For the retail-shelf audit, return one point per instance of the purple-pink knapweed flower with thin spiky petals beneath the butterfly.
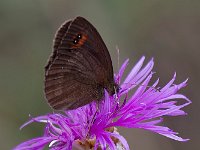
(94, 127)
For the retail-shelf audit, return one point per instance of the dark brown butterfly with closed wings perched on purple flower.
(80, 67)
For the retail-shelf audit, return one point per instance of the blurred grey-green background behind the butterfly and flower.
(169, 31)
